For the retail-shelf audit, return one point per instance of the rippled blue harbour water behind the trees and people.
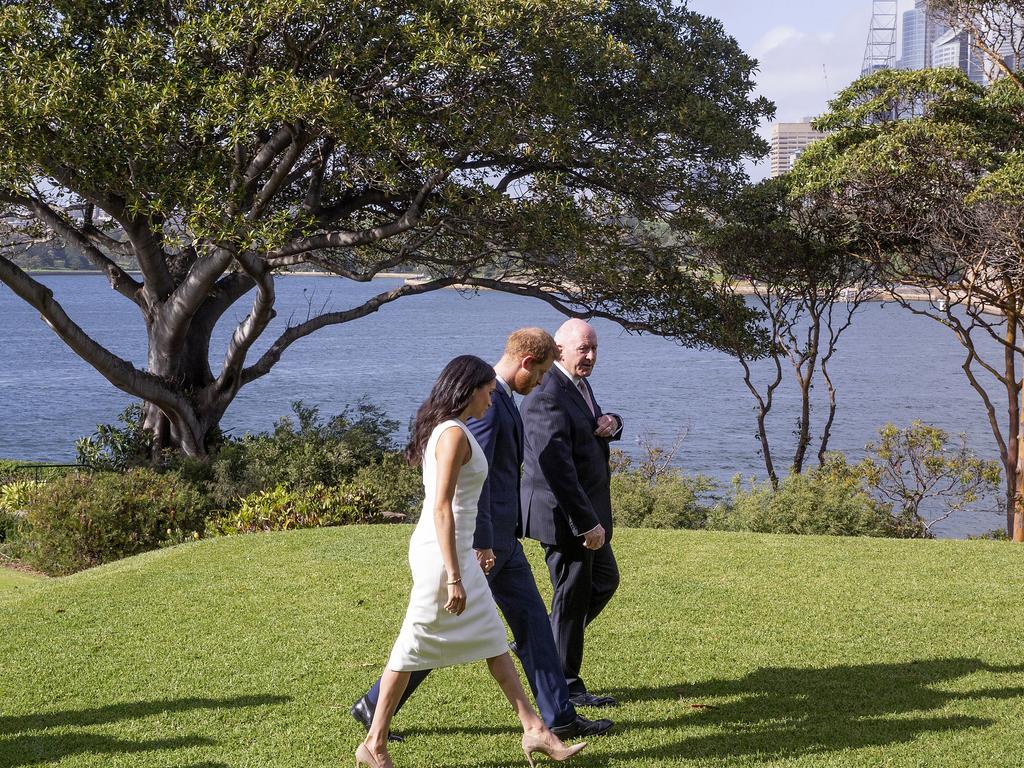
(892, 366)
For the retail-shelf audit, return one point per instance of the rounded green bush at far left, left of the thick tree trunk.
(81, 521)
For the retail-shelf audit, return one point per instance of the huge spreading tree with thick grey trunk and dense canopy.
(515, 145)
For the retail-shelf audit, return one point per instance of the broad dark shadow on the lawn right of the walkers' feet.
(777, 713)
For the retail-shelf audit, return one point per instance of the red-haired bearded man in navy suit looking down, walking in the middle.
(529, 355)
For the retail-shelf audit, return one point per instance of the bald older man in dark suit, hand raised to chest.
(567, 497)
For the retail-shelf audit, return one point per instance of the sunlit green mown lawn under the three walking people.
(726, 651)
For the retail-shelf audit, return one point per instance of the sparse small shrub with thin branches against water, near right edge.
(915, 467)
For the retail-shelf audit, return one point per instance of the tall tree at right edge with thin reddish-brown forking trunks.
(937, 201)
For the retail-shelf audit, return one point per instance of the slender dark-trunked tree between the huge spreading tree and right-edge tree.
(806, 282)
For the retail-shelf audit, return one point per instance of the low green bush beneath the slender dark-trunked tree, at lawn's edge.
(830, 501)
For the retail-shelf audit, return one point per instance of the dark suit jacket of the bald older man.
(566, 481)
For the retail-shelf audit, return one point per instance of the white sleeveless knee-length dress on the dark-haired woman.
(432, 637)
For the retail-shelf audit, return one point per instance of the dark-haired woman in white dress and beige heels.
(452, 618)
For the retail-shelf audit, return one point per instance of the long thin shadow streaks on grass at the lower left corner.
(20, 745)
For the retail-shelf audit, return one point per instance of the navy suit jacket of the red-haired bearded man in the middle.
(500, 435)
